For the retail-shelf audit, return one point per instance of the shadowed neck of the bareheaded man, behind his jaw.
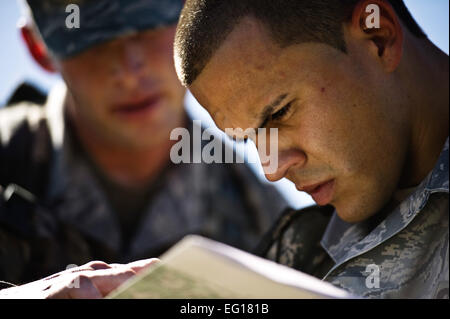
(428, 97)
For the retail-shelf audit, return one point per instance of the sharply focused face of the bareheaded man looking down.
(341, 138)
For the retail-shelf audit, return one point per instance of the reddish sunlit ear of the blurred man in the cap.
(36, 48)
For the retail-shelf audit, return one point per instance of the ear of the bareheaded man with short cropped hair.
(377, 22)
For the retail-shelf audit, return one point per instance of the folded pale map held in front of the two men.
(200, 268)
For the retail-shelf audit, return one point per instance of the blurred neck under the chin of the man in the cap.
(132, 167)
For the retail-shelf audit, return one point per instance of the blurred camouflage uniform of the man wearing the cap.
(73, 222)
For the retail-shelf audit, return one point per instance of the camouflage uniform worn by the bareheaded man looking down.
(401, 252)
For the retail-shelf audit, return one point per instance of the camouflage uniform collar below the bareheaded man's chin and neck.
(344, 241)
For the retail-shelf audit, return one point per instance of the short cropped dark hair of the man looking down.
(205, 24)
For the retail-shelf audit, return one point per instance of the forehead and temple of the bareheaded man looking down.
(250, 72)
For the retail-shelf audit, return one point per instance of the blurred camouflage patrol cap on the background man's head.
(99, 21)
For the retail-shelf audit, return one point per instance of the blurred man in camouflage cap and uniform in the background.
(88, 176)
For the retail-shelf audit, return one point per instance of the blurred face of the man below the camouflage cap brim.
(127, 90)
